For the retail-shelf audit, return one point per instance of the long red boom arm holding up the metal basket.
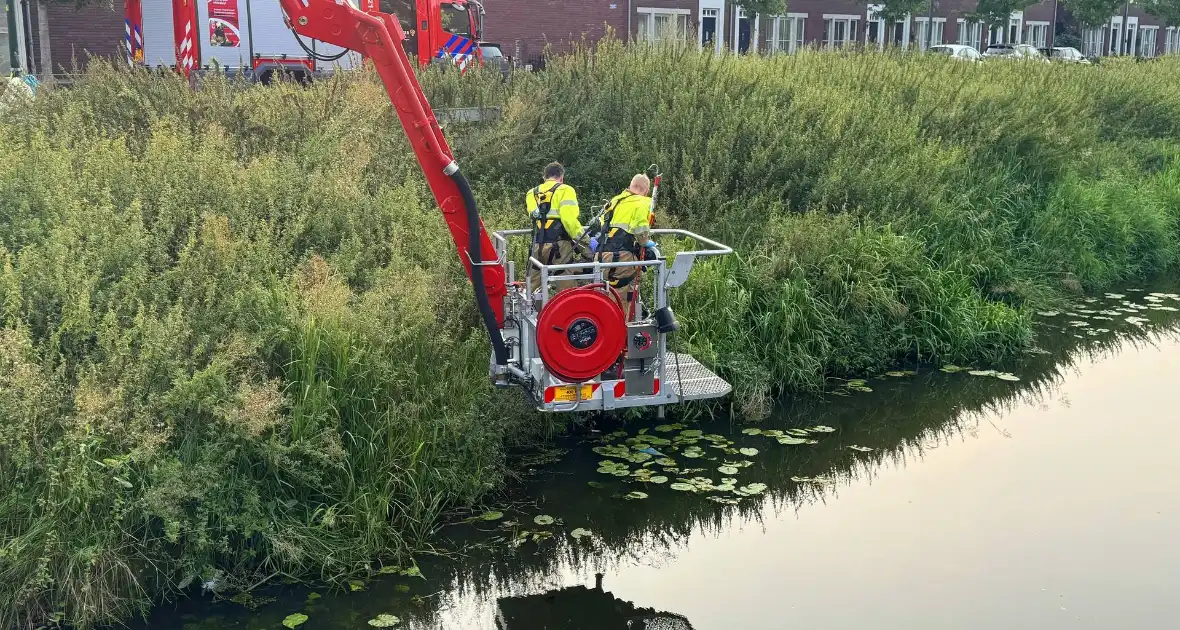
(379, 38)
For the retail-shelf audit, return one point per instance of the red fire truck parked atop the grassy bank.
(253, 37)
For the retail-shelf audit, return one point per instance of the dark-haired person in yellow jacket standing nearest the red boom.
(554, 211)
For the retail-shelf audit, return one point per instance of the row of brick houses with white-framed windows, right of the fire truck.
(523, 28)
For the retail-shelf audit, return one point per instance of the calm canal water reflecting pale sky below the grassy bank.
(1051, 503)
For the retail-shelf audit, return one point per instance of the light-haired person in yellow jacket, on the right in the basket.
(627, 226)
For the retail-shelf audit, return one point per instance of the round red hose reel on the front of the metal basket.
(582, 332)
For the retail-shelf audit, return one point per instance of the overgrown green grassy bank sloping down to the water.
(237, 344)
